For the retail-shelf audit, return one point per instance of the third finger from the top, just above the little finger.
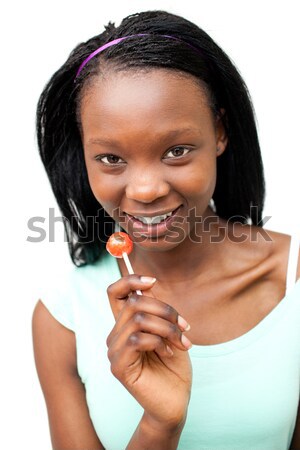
(149, 323)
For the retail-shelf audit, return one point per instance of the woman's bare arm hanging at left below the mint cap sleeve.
(55, 355)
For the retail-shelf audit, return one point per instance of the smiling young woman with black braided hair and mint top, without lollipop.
(149, 127)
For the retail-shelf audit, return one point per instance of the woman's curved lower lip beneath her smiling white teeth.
(157, 229)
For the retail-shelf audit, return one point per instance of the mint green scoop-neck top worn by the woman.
(245, 392)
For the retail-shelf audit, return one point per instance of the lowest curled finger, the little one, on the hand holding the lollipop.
(126, 359)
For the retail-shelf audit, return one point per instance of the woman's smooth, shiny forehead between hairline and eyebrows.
(158, 96)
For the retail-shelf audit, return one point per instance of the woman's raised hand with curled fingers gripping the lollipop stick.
(139, 355)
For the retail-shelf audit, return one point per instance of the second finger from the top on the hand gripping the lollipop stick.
(143, 304)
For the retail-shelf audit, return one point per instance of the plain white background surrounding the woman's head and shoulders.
(262, 38)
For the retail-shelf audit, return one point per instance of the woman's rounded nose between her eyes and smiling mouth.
(146, 187)
